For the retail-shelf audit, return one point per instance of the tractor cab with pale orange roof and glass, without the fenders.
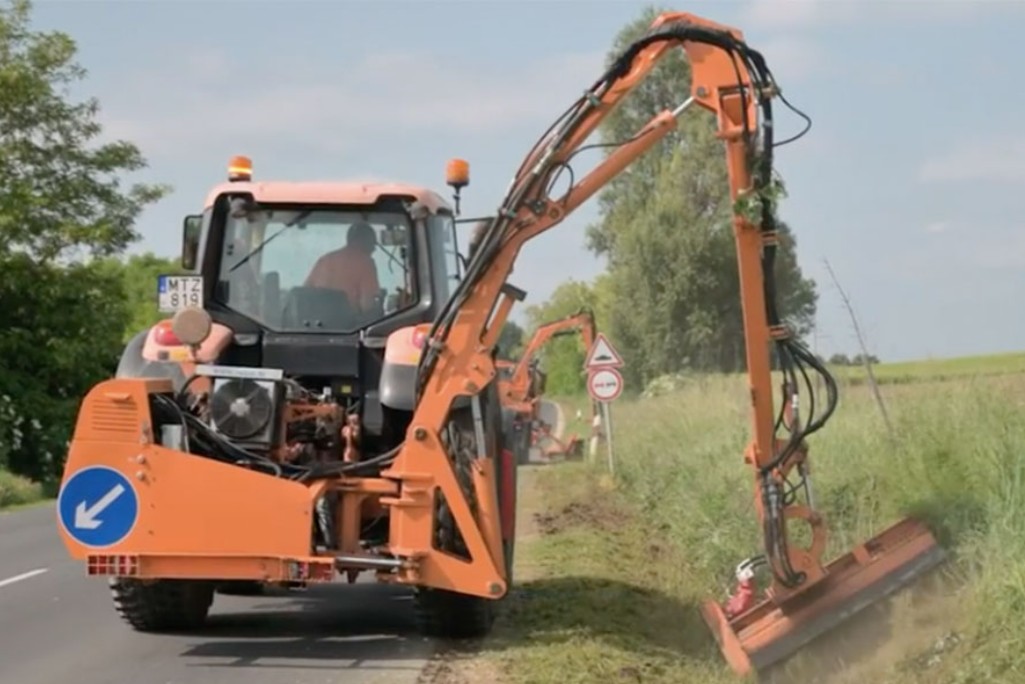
(340, 259)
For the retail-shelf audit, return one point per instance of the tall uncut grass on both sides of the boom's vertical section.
(957, 462)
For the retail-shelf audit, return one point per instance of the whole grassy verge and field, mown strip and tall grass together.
(614, 575)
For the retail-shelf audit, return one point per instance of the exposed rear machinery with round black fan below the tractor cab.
(265, 421)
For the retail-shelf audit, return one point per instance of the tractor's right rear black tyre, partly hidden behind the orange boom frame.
(445, 615)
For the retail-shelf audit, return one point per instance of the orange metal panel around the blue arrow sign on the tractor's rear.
(197, 518)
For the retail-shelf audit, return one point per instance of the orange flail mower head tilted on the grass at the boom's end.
(768, 633)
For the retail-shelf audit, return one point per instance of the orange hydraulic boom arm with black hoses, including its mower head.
(732, 82)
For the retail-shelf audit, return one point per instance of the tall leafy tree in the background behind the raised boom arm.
(666, 229)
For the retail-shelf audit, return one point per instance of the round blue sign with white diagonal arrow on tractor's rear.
(98, 507)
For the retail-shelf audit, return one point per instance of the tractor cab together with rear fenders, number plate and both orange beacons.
(331, 286)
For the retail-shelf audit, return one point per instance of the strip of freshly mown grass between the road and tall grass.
(594, 597)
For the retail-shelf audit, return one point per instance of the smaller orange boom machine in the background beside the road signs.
(522, 386)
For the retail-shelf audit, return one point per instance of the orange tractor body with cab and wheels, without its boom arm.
(244, 440)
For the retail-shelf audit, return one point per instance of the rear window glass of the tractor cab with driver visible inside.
(316, 270)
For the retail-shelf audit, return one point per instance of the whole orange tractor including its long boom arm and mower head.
(293, 434)
